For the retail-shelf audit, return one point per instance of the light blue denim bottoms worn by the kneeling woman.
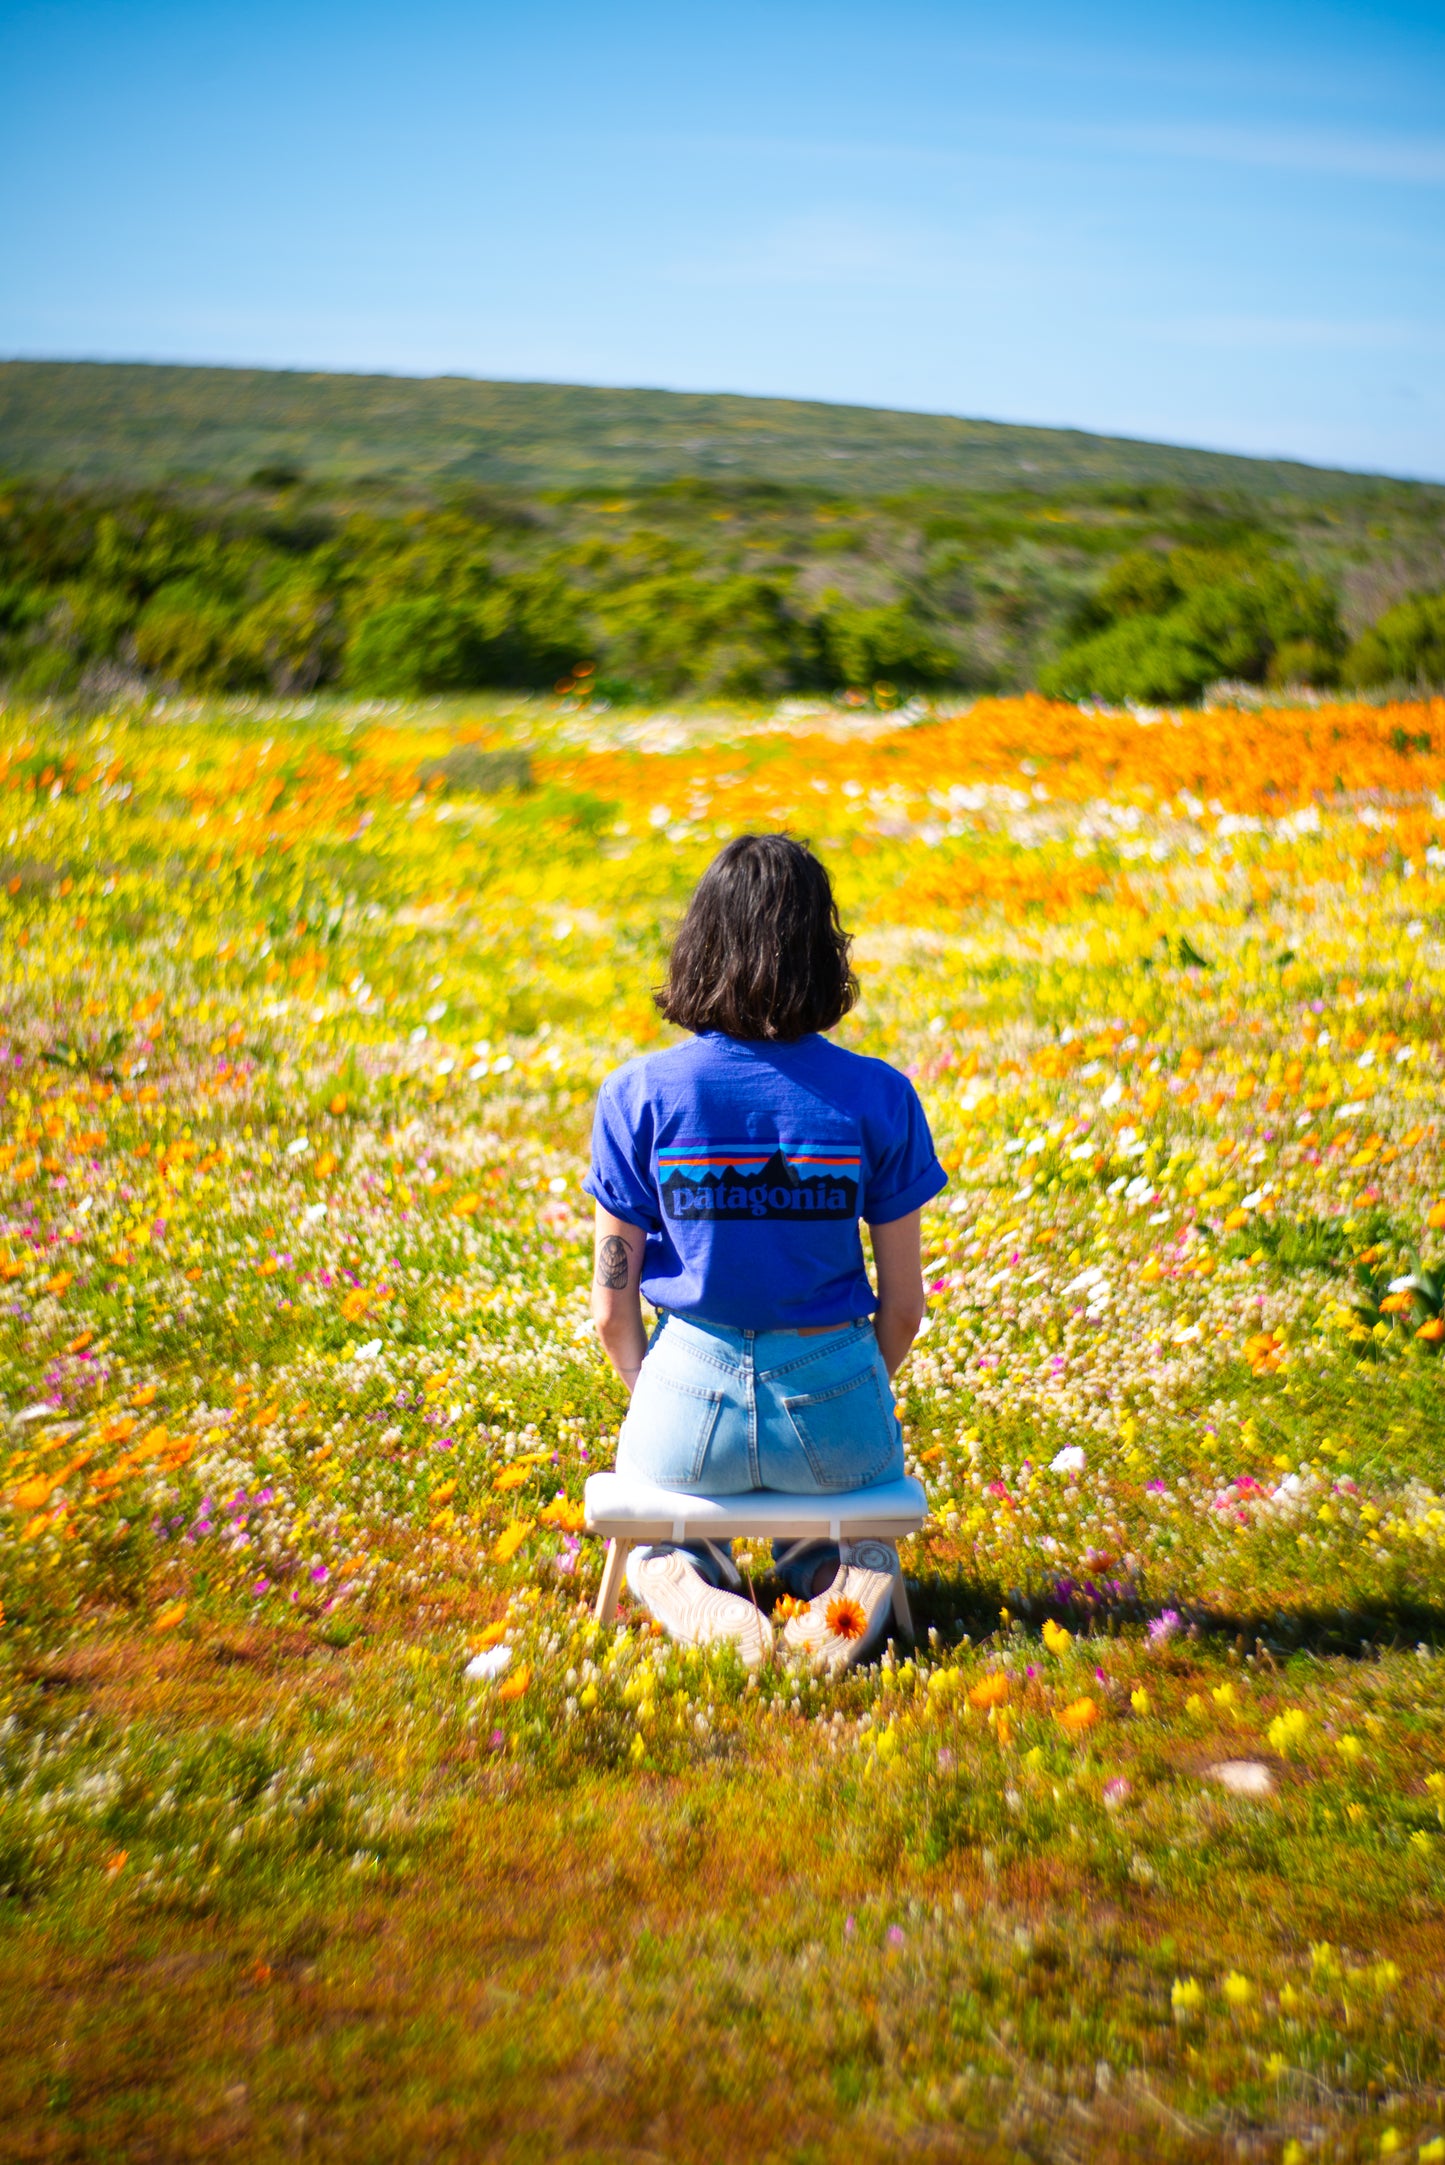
(722, 1413)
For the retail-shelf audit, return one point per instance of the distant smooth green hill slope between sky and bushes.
(131, 423)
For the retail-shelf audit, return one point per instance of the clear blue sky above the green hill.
(1201, 224)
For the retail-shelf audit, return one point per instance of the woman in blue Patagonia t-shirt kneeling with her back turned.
(731, 1175)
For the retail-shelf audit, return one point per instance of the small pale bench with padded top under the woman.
(634, 1512)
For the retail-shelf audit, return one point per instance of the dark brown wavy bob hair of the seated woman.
(761, 952)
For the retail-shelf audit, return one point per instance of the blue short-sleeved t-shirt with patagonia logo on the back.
(748, 1168)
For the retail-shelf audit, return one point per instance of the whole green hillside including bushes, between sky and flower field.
(229, 529)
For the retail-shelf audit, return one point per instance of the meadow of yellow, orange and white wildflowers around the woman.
(1138, 1854)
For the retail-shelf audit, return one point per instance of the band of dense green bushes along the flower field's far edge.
(679, 592)
